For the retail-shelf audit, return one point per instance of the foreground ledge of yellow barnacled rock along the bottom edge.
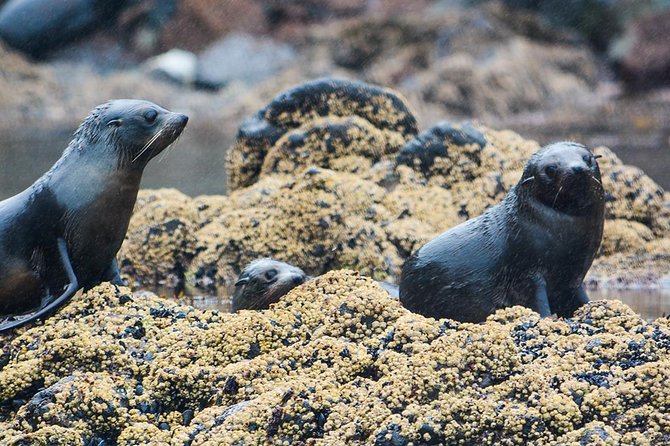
(336, 361)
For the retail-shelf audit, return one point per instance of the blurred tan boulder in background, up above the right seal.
(518, 75)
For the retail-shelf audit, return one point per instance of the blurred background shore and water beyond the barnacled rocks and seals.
(591, 70)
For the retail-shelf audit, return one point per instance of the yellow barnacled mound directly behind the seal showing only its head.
(317, 220)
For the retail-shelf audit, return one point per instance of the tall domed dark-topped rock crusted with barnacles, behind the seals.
(305, 119)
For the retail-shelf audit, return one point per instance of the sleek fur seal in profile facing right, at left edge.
(63, 232)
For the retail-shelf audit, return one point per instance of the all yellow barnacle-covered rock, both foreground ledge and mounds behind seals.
(336, 181)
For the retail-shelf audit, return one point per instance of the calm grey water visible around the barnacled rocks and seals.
(195, 164)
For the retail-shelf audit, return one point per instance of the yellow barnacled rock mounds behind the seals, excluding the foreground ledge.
(335, 174)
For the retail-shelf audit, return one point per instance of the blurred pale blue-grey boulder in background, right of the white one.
(242, 58)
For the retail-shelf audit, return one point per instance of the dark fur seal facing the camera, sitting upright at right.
(532, 249)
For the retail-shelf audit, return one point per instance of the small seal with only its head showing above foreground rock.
(263, 282)
